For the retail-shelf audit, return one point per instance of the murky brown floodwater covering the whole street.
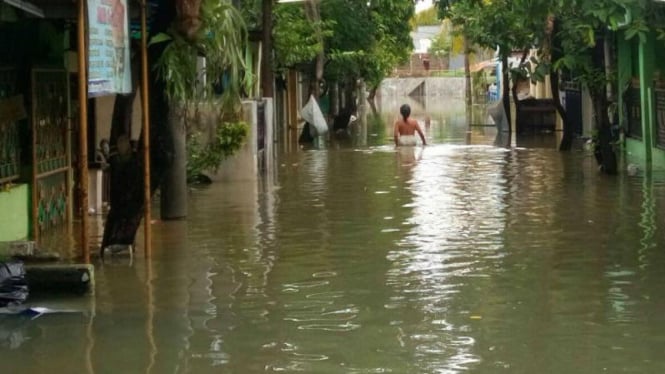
(457, 257)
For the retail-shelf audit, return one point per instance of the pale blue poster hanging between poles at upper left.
(108, 48)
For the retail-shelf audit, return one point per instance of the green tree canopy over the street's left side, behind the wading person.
(360, 39)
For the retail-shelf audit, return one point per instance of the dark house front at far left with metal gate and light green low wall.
(36, 177)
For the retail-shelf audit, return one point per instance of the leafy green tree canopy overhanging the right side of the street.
(520, 24)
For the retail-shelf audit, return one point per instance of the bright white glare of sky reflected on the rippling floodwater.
(455, 222)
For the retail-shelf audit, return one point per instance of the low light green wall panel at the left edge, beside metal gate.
(14, 213)
